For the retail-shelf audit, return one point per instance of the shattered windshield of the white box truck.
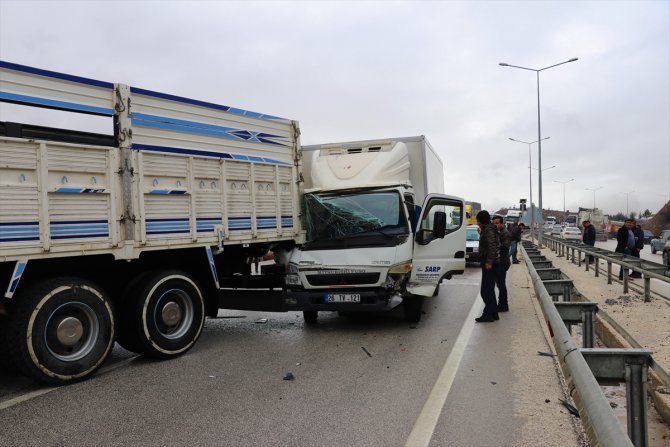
(354, 214)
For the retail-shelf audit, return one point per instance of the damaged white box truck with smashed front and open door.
(379, 230)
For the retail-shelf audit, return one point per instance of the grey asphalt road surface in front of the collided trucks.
(358, 381)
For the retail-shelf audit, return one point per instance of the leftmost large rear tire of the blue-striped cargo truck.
(60, 330)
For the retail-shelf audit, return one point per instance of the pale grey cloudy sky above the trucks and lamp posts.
(377, 69)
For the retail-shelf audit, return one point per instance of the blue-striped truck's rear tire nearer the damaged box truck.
(166, 315)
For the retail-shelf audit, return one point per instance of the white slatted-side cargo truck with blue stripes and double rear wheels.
(125, 236)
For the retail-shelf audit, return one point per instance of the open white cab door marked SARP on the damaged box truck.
(439, 243)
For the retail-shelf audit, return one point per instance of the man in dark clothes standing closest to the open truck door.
(489, 258)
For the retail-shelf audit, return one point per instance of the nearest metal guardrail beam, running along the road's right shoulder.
(602, 427)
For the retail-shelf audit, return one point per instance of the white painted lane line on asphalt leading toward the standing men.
(424, 427)
